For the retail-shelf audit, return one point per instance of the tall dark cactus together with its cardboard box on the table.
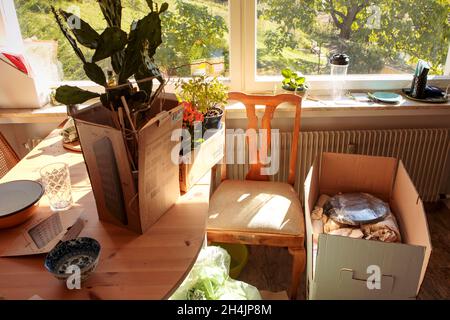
(125, 138)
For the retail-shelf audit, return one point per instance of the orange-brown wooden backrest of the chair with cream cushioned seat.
(271, 103)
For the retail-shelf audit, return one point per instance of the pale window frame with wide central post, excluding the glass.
(242, 44)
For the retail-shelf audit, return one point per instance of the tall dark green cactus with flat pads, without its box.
(130, 54)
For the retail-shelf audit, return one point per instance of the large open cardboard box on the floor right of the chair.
(339, 268)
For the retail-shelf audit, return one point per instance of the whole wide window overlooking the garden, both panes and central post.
(250, 41)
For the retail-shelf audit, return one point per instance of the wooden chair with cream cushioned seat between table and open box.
(257, 211)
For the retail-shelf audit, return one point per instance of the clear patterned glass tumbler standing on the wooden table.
(55, 178)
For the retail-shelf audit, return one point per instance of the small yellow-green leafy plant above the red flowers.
(202, 93)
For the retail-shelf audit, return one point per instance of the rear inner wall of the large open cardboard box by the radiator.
(357, 173)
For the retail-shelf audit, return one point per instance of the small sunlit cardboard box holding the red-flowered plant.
(198, 162)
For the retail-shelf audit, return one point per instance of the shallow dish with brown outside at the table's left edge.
(18, 201)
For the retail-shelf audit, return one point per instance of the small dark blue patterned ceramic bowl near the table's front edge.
(83, 252)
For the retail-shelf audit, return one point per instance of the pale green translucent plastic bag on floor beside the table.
(209, 280)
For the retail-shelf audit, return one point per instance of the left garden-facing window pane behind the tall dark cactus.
(194, 32)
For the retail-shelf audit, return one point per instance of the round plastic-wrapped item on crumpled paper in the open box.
(356, 208)
